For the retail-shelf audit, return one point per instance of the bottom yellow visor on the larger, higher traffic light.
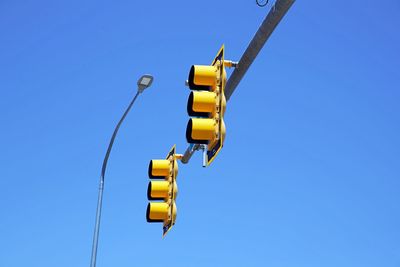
(200, 131)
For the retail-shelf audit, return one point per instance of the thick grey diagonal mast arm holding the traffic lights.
(270, 22)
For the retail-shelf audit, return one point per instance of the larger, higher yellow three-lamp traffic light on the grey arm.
(207, 104)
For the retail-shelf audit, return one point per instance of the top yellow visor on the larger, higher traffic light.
(202, 77)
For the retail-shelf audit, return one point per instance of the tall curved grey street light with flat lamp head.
(144, 82)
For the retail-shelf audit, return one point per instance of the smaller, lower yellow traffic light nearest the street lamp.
(164, 190)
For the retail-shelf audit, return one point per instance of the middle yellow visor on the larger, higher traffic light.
(201, 103)
